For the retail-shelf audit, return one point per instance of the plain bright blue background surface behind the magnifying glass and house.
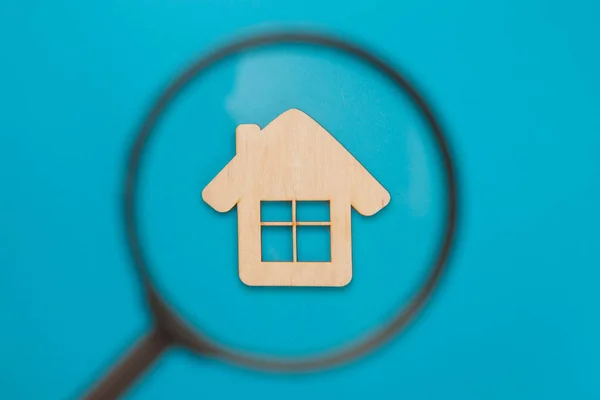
(516, 85)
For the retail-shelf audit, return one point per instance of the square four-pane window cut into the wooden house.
(295, 231)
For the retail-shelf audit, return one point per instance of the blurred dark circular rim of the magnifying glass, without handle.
(165, 317)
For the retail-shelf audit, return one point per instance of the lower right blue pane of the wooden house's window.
(314, 243)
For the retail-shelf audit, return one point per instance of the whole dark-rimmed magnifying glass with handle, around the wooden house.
(323, 326)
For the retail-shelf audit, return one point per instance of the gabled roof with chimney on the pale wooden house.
(293, 157)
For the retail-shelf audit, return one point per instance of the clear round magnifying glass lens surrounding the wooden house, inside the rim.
(192, 250)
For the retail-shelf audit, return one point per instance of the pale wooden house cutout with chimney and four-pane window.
(293, 159)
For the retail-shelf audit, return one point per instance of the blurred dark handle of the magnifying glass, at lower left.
(131, 367)
